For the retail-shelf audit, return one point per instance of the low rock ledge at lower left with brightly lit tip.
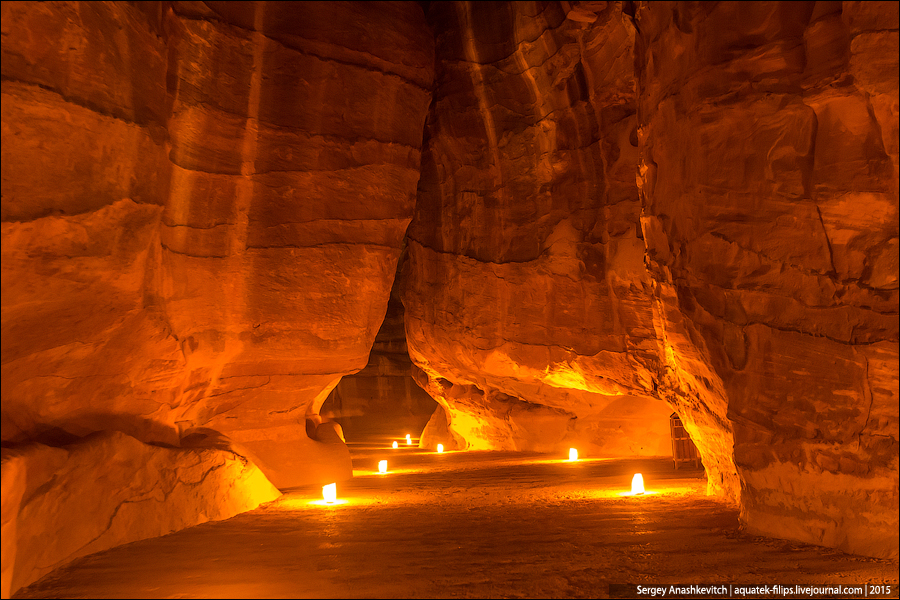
(108, 489)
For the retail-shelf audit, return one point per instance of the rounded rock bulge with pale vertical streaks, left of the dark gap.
(296, 130)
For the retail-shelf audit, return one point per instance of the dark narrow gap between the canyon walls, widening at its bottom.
(383, 399)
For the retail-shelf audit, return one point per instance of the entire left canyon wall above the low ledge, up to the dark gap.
(203, 207)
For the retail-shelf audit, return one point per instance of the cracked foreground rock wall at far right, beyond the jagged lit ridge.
(769, 182)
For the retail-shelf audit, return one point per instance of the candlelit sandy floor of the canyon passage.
(475, 524)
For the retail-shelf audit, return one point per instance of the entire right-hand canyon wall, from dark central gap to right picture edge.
(750, 282)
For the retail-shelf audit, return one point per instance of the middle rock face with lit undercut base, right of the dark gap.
(527, 302)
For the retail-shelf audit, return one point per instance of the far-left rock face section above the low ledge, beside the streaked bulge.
(85, 179)
